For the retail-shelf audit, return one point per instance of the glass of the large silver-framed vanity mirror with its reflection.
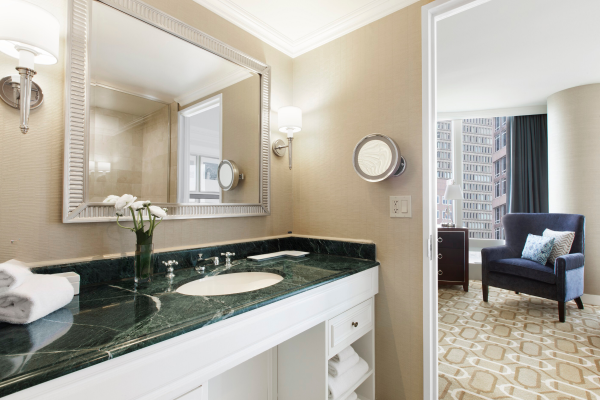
(160, 126)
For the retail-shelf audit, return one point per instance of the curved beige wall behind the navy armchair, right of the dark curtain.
(573, 140)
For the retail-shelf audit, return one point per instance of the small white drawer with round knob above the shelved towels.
(349, 326)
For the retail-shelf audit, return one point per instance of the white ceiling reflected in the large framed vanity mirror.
(136, 57)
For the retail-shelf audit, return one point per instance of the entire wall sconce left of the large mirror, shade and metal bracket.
(31, 35)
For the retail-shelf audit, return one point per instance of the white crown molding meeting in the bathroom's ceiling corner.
(371, 12)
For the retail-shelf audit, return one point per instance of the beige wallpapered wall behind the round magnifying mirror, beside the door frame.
(368, 81)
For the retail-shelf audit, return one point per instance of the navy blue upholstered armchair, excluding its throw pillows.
(504, 268)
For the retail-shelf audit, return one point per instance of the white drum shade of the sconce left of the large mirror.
(24, 26)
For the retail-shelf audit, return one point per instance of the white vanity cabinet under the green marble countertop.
(279, 351)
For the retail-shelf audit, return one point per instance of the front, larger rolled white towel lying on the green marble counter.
(37, 297)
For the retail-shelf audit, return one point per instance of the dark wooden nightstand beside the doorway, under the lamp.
(453, 257)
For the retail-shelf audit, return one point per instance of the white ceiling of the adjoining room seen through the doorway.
(516, 53)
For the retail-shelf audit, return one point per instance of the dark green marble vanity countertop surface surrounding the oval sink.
(107, 321)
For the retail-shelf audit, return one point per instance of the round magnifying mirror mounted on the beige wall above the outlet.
(376, 157)
